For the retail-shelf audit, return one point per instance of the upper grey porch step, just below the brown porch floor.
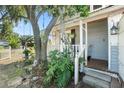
(97, 74)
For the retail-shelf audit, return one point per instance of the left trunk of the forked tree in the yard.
(31, 14)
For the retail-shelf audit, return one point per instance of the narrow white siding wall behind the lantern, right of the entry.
(113, 44)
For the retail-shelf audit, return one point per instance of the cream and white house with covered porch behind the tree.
(97, 36)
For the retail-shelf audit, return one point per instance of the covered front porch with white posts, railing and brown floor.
(92, 37)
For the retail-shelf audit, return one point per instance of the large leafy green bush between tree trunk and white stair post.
(60, 69)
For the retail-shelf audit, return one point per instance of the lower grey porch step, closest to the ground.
(95, 82)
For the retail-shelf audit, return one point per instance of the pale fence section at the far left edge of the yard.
(5, 53)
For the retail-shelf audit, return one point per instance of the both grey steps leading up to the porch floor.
(97, 78)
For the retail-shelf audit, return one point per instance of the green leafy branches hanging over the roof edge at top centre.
(68, 10)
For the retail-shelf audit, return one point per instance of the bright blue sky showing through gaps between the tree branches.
(26, 29)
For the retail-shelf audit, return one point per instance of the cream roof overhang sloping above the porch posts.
(100, 14)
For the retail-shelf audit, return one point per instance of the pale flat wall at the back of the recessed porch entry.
(98, 38)
